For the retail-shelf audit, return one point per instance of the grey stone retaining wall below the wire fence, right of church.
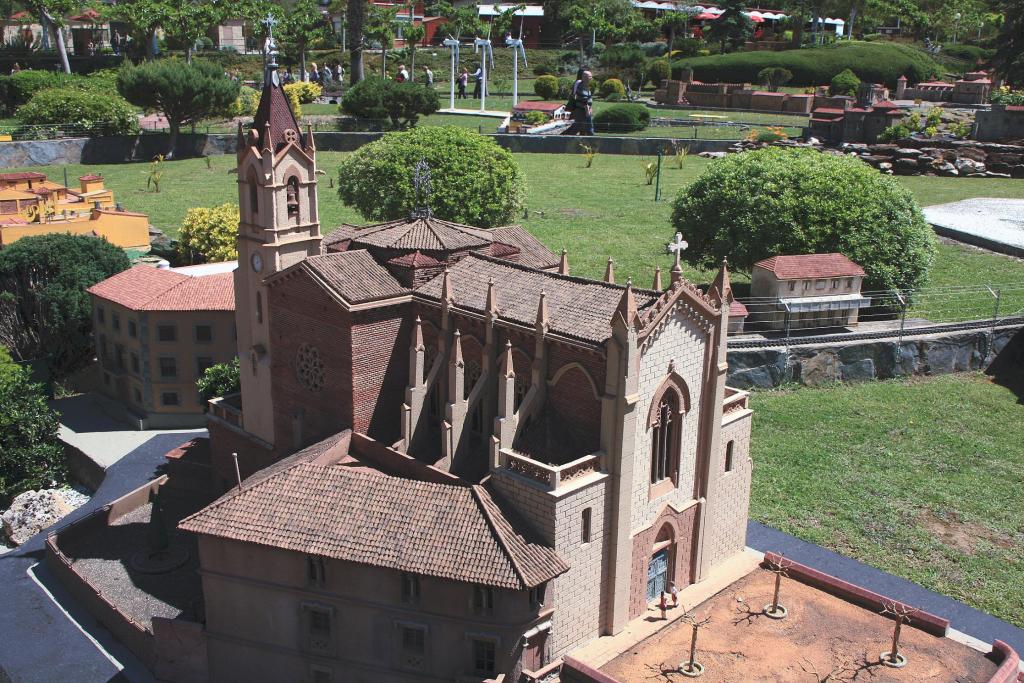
(874, 360)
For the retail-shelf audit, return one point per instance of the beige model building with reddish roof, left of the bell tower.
(157, 330)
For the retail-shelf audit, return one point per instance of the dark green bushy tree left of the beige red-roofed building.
(45, 310)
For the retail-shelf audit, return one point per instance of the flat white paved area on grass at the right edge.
(999, 222)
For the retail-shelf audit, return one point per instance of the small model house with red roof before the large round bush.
(805, 291)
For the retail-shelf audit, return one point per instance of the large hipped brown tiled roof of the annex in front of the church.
(361, 516)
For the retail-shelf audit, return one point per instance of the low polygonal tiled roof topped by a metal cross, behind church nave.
(431, 235)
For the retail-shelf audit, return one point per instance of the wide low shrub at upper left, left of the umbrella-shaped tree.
(93, 113)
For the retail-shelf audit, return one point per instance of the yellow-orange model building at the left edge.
(30, 205)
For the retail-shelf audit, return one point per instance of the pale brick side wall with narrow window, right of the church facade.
(731, 495)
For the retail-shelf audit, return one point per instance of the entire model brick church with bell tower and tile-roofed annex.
(460, 460)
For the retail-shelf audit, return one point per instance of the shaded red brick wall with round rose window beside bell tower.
(302, 313)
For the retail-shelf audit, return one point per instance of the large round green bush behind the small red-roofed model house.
(760, 204)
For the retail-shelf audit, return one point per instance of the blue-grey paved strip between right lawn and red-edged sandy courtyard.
(962, 618)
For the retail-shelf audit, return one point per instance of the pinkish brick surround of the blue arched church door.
(685, 530)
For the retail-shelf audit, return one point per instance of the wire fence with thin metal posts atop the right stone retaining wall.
(836, 314)
